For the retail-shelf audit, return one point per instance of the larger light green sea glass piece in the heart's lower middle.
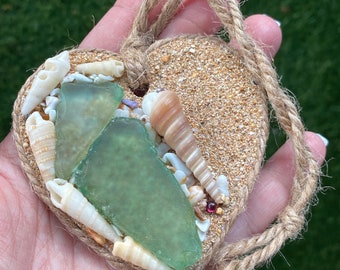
(132, 188)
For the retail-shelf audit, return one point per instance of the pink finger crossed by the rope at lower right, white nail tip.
(272, 192)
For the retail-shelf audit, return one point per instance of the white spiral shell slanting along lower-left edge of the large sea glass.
(70, 200)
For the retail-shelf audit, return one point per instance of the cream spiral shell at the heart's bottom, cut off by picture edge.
(130, 251)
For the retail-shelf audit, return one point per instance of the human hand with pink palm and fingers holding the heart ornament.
(30, 235)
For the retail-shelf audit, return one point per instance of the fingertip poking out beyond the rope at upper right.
(266, 31)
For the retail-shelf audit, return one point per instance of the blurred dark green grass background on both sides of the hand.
(308, 62)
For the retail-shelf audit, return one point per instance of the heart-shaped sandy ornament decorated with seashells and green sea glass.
(151, 182)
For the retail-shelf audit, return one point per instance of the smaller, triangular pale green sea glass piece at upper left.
(82, 113)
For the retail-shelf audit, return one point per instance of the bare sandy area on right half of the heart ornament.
(226, 110)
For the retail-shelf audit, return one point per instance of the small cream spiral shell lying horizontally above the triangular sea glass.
(108, 68)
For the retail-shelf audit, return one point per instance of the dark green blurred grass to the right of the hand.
(309, 62)
